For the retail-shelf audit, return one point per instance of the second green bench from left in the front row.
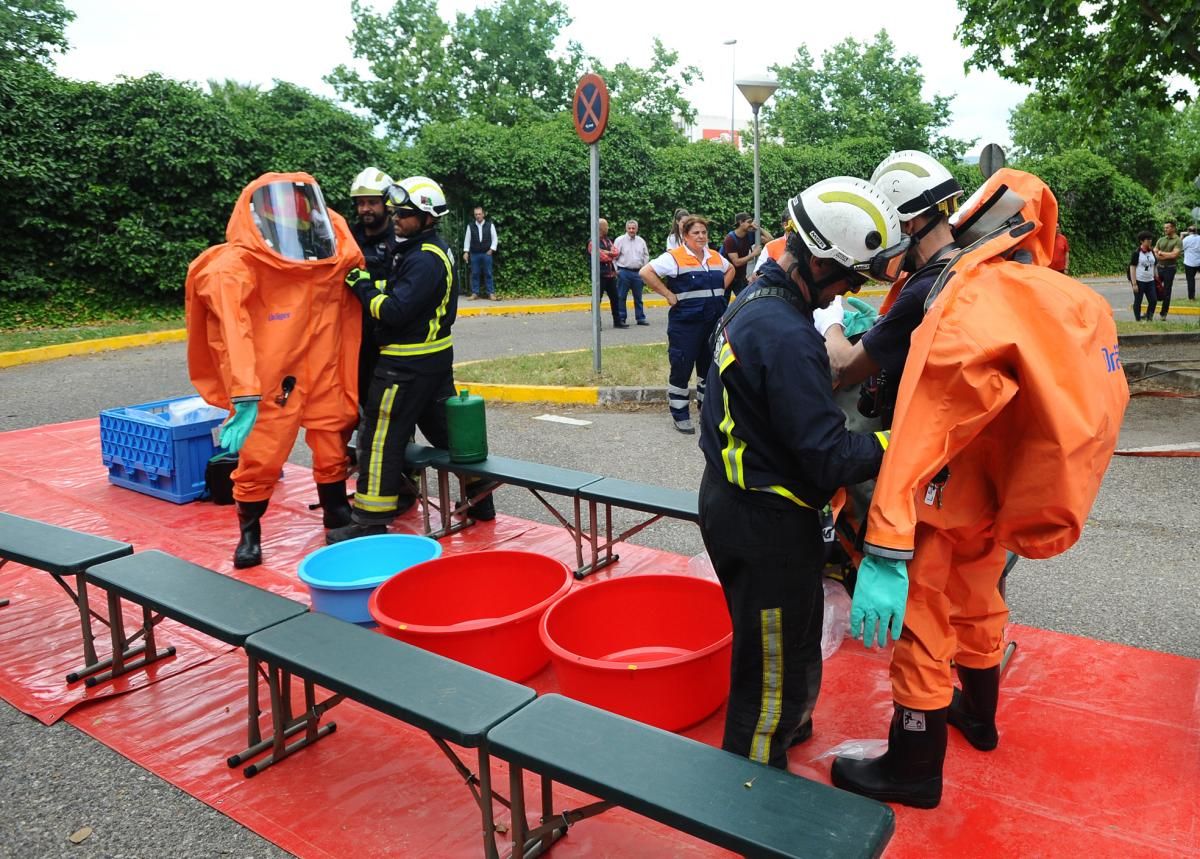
(211, 603)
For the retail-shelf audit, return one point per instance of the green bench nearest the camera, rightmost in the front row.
(710, 794)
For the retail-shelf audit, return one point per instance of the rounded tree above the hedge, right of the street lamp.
(861, 91)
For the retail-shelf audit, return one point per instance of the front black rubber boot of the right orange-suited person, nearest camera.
(910, 772)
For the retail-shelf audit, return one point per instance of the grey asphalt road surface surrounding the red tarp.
(1130, 580)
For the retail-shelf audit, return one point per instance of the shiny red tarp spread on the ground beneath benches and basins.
(1100, 749)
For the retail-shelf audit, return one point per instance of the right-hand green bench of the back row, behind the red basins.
(610, 492)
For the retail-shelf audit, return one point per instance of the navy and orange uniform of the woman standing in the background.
(691, 323)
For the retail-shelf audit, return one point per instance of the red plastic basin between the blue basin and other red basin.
(482, 609)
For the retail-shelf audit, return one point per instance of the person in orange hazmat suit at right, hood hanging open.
(1009, 416)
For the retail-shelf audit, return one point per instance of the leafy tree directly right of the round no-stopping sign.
(653, 98)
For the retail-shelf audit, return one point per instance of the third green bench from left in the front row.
(449, 701)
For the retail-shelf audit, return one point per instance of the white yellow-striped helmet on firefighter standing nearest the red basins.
(853, 224)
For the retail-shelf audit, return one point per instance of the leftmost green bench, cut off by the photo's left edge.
(64, 554)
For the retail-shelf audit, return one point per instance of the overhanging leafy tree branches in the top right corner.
(1094, 52)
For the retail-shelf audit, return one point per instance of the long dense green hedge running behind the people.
(110, 191)
